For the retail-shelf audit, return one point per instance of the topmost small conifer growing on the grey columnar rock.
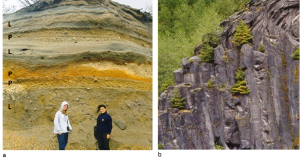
(242, 34)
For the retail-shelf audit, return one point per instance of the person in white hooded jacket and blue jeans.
(62, 125)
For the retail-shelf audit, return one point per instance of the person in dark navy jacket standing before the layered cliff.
(104, 126)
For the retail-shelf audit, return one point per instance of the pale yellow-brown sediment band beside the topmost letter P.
(58, 36)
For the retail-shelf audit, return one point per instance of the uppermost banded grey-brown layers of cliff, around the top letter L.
(116, 18)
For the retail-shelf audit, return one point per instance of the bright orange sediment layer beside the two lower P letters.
(77, 74)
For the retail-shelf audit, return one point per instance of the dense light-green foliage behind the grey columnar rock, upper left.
(182, 24)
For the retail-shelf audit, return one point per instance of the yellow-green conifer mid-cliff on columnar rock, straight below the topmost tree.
(241, 85)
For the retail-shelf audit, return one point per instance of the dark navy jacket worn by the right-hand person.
(104, 123)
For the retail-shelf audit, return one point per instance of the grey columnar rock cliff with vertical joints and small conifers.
(213, 117)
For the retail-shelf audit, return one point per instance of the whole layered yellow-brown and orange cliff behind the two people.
(86, 53)
